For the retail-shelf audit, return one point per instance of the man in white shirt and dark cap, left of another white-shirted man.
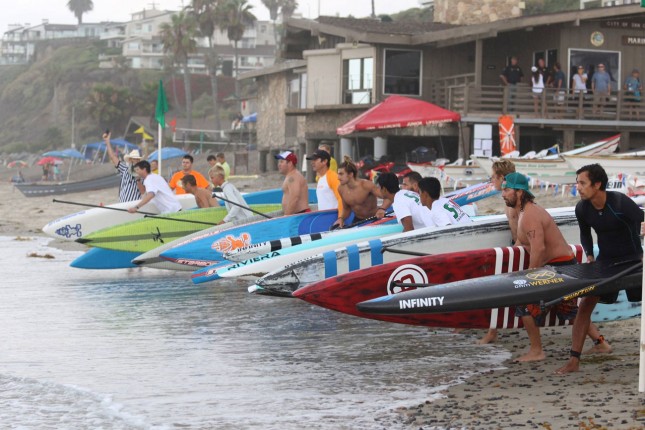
(406, 204)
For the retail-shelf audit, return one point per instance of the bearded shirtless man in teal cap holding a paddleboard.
(541, 237)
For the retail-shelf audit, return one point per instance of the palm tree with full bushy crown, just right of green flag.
(178, 37)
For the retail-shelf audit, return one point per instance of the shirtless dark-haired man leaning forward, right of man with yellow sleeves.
(359, 195)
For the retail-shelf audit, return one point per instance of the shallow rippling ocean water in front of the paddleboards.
(146, 349)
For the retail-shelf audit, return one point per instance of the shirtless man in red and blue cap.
(295, 198)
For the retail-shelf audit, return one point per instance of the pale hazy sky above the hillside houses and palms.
(56, 11)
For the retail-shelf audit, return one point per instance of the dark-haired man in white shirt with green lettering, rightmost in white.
(441, 211)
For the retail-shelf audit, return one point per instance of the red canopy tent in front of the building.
(398, 112)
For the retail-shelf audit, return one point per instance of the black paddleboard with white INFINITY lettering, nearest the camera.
(513, 289)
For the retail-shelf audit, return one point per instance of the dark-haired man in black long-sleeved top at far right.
(617, 221)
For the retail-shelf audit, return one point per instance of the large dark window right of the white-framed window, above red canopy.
(402, 72)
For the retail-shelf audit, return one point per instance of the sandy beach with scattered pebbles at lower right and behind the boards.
(604, 394)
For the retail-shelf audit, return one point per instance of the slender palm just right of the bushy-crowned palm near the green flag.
(206, 15)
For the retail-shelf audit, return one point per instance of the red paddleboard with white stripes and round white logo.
(341, 293)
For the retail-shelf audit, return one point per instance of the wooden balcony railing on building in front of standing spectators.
(482, 103)
